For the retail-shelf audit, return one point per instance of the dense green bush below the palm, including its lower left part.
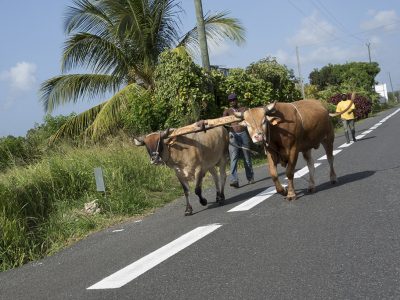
(182, 94)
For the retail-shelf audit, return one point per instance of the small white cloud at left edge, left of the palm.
(21, 77)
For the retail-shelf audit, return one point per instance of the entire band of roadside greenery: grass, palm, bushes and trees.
(46, 177)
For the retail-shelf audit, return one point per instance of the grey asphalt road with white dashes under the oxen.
(342, 242)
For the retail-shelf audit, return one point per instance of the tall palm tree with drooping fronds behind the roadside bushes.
(119, 41)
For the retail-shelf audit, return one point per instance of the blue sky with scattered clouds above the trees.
(325, 31)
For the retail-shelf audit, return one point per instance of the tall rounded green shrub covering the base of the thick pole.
(183, 91)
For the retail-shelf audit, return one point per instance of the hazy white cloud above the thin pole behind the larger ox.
(312, 30)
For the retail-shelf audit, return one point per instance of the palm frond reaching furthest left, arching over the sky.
(66, 88)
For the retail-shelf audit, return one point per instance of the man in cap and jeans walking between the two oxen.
(238, 137)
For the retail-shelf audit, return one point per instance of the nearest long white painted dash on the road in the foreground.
(130, 272)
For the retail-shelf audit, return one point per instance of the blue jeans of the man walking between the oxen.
(240, 140)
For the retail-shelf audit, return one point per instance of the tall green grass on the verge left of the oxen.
(41, 206)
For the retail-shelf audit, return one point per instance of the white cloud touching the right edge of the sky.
(387, 20)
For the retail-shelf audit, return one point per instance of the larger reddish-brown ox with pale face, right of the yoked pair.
(286, 129)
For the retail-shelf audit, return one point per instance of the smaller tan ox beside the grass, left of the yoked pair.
(191, 156)
